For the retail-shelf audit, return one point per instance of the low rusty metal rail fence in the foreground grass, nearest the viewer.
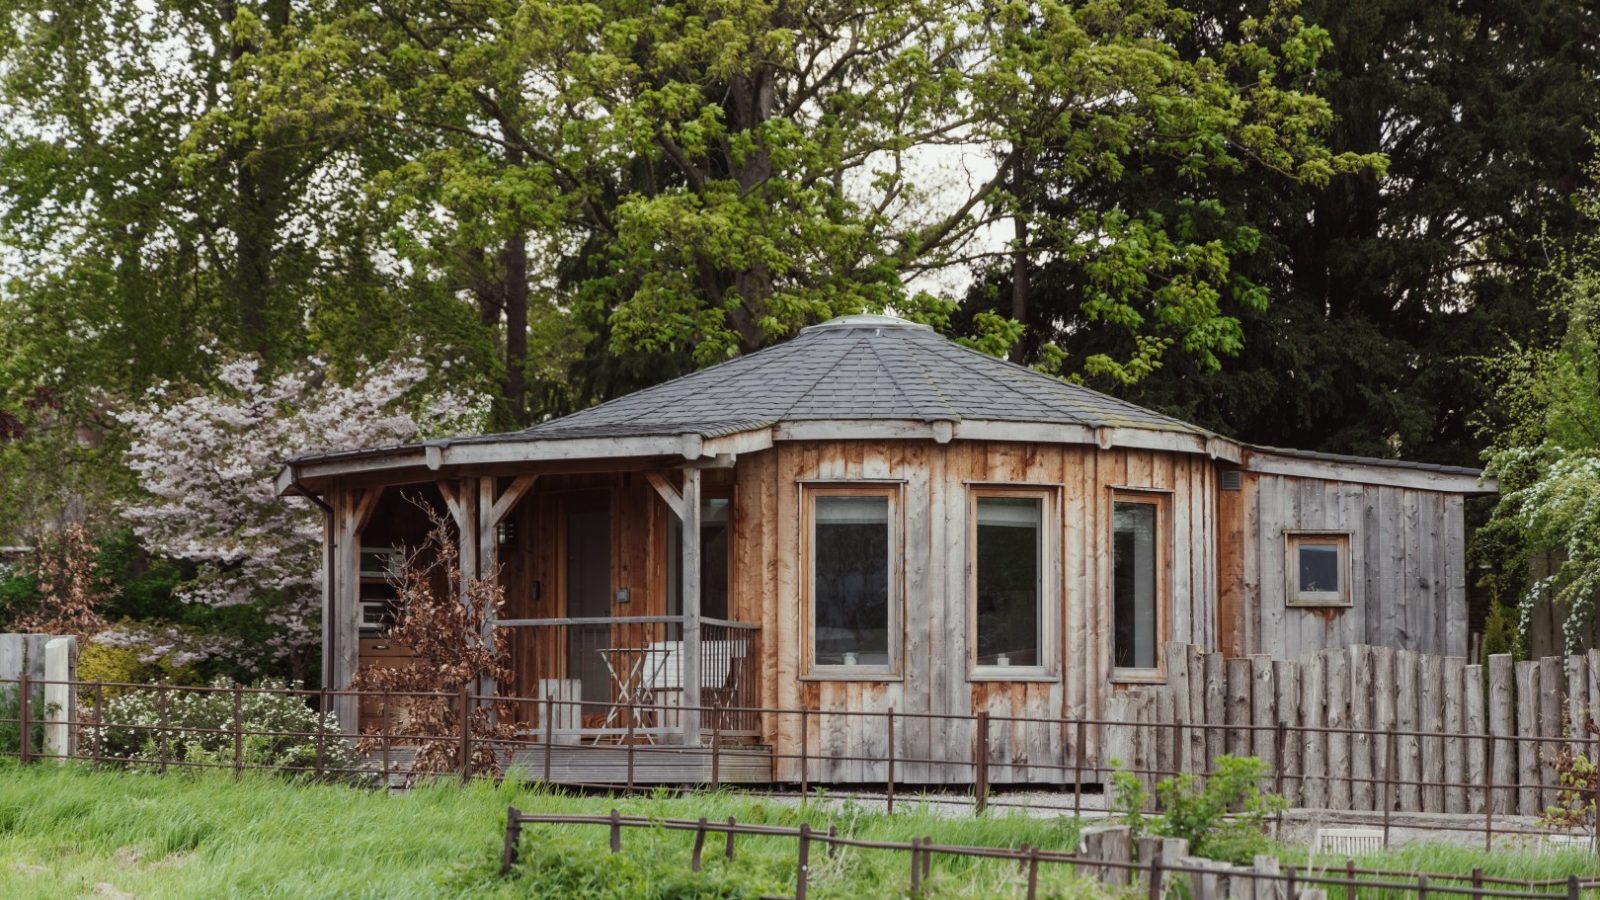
(1154, 874)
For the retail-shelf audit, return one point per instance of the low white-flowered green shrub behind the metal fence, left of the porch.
(281, 729)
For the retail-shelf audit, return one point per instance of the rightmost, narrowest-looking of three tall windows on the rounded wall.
(1138, 593)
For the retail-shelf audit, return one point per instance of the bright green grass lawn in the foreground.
(74, 834)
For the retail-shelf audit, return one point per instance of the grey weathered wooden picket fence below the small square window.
(1337, 726)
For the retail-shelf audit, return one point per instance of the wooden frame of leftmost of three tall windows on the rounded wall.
(897, 574)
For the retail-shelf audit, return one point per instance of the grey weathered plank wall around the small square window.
(1407, 561)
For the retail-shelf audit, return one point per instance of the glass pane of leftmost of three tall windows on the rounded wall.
(850, 558)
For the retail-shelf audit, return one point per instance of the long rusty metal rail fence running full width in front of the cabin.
(729, 728)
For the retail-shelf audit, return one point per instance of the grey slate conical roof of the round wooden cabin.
(855, 369)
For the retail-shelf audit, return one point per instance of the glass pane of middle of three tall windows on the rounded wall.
(1009, 579)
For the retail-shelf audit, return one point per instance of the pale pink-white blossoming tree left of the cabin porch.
(206, 465)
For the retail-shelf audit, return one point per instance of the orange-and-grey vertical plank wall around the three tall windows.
(769, 581)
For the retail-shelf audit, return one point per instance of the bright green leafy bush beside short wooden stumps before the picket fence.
(1223, 818)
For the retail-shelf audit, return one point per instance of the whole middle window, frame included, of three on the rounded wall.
(1009, 584)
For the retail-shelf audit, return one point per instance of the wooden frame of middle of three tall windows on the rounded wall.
(1049, 582)
